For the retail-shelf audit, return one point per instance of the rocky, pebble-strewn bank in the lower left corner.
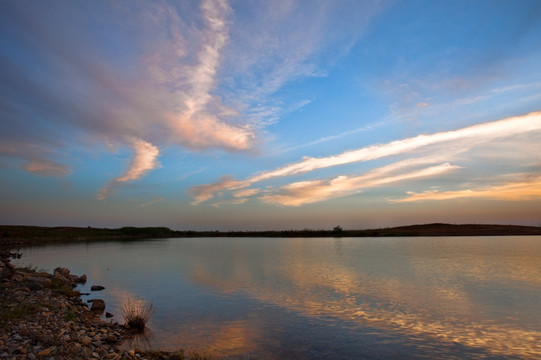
(43, 317)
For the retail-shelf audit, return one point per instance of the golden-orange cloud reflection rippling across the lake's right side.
(427, 302)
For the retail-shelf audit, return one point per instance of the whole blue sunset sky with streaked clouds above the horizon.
(269, 115)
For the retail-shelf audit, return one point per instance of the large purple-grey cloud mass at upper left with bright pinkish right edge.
(159, 84)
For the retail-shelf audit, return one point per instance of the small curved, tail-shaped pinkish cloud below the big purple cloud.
(145, 158)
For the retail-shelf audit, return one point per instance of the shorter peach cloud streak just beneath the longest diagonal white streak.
(306, 192)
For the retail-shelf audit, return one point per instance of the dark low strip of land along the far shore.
(14, 236)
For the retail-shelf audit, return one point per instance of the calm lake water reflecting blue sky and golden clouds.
(348, 298)
